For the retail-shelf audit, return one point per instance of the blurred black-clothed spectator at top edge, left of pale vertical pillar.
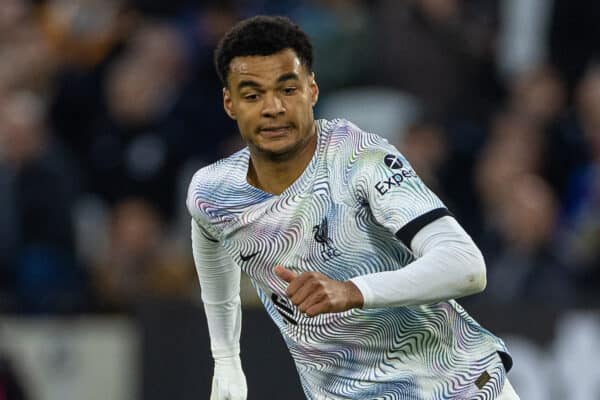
(438, 50)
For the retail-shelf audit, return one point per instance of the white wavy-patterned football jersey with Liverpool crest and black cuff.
(353, 211)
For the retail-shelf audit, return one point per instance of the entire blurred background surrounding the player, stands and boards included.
(107, 107)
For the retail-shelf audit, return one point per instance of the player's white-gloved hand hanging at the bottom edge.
(229, 381)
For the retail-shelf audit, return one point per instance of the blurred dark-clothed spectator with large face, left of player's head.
(134, 148)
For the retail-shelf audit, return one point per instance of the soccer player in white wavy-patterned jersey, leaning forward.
(354, 258)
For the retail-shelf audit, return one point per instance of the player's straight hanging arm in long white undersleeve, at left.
(220, 290)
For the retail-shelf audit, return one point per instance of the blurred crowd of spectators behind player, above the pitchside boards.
(107, 107)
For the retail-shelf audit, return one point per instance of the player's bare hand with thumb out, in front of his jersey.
(314, 293)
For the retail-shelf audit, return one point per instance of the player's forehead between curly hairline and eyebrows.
(264, 69)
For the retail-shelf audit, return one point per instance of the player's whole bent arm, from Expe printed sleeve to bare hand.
(448, 264)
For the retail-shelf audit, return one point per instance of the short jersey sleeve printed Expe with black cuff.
(397, 197)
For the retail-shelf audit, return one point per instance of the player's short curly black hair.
(262, 36)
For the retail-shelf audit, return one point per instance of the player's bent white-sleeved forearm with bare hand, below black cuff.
(448, 265)
